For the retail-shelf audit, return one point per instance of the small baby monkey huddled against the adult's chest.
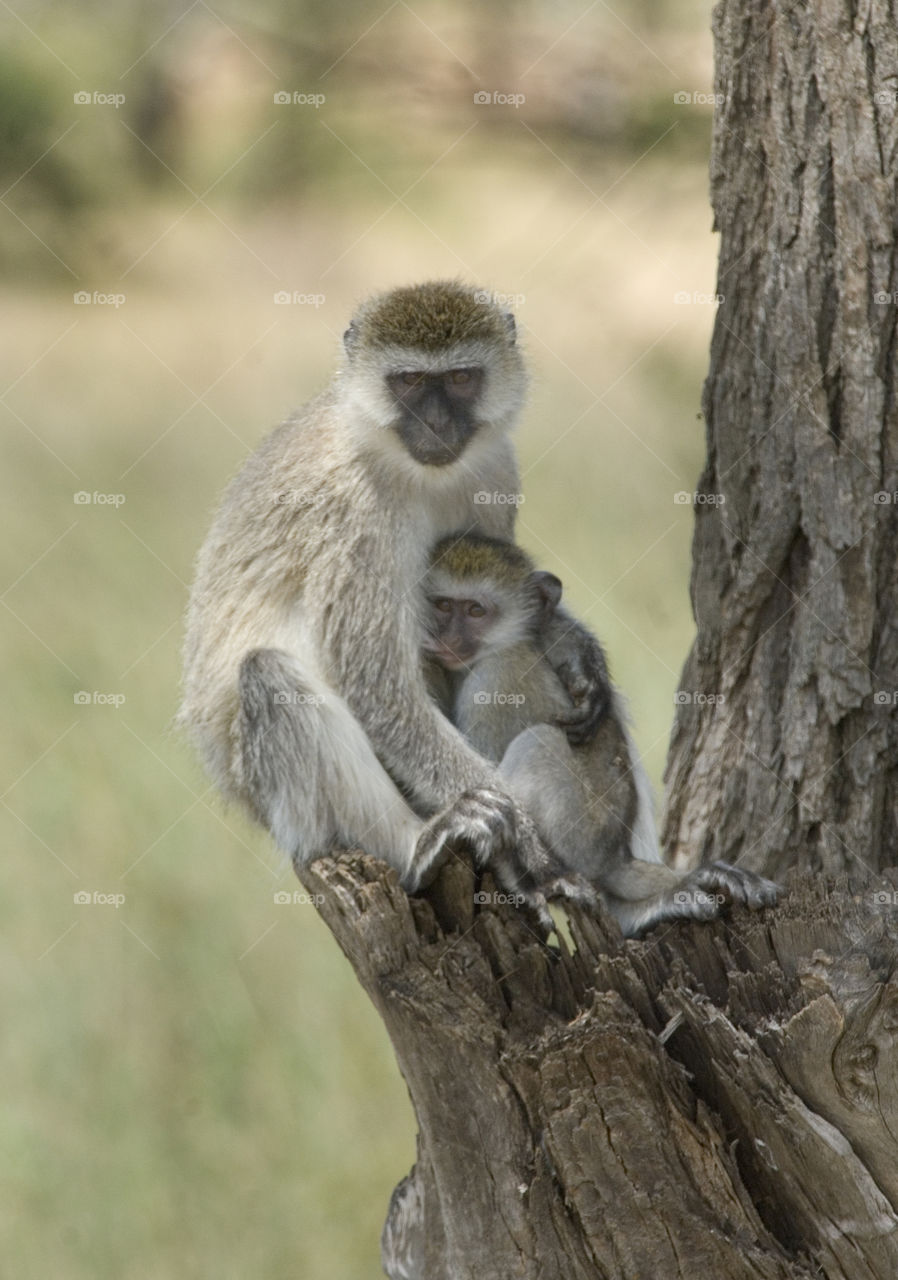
(488, 607)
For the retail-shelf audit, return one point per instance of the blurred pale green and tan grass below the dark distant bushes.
(194, 1084)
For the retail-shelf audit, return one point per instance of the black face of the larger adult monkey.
(436, 413)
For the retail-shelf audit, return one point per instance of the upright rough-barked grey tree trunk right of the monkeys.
(795, 760)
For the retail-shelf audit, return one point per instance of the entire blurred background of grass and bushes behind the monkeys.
(194, 1086)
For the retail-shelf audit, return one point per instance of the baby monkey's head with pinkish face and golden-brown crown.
(484, 596)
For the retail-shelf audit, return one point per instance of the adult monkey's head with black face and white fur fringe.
(434, 368)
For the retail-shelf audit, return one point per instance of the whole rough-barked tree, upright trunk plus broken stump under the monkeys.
(720, 1100)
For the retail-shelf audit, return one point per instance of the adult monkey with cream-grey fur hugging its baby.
(303, 676)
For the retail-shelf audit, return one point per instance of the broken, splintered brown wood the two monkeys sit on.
(565, 1135)
